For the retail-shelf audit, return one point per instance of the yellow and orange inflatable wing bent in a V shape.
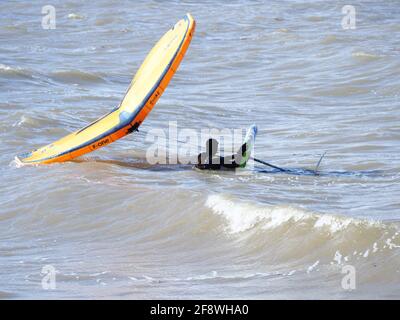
(147, 86)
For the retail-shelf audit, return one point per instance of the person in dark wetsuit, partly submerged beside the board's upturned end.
(210, 161)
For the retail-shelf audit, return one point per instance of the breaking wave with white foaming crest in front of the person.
(309, 240)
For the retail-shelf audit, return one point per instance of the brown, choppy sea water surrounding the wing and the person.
(113, 227)
